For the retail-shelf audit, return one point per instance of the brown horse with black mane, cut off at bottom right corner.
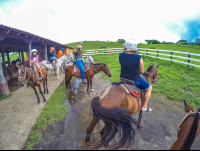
(189, 129)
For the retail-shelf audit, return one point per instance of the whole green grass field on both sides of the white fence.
(175, 80)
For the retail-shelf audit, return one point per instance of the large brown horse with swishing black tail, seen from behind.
(114, 106)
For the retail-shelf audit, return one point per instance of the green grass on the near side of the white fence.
(175, 80)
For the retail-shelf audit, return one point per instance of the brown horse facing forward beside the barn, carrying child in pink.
(33, 79)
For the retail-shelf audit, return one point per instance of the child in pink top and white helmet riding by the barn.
(34, 58)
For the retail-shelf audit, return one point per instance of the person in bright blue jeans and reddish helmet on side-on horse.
(80, 61)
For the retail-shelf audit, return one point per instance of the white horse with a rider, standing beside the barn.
(58, 64)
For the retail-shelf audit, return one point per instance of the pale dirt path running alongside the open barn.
(19, 112)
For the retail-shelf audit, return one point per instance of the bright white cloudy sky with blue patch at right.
(67, 21)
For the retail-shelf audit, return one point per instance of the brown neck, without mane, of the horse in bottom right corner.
(183, 134)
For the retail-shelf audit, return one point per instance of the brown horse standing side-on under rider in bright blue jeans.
(93, 69)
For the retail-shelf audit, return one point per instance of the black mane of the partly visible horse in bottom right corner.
(192, 133)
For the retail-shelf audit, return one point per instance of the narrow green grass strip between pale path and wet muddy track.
(54, 111)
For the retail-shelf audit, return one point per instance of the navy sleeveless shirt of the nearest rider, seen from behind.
(130, 66)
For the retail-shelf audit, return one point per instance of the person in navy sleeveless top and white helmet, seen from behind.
(131, 68)
